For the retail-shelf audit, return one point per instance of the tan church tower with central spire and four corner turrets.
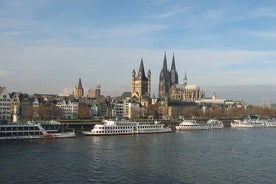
(141, 85)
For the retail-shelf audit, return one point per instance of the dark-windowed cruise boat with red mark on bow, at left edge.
(31, 130)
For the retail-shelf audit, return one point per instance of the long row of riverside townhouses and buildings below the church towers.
(18, 106)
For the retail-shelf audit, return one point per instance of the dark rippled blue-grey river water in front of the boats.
(216, 156)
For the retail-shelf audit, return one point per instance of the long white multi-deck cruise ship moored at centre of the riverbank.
(110, 127)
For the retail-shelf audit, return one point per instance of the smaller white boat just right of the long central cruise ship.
(194, 125)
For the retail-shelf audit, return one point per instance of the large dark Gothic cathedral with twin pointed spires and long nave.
(171, 90)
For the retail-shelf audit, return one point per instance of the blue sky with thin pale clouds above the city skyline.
(226, 46)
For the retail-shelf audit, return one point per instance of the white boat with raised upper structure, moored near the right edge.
(252, 121)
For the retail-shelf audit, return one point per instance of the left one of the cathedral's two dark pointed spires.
(164, 80)
